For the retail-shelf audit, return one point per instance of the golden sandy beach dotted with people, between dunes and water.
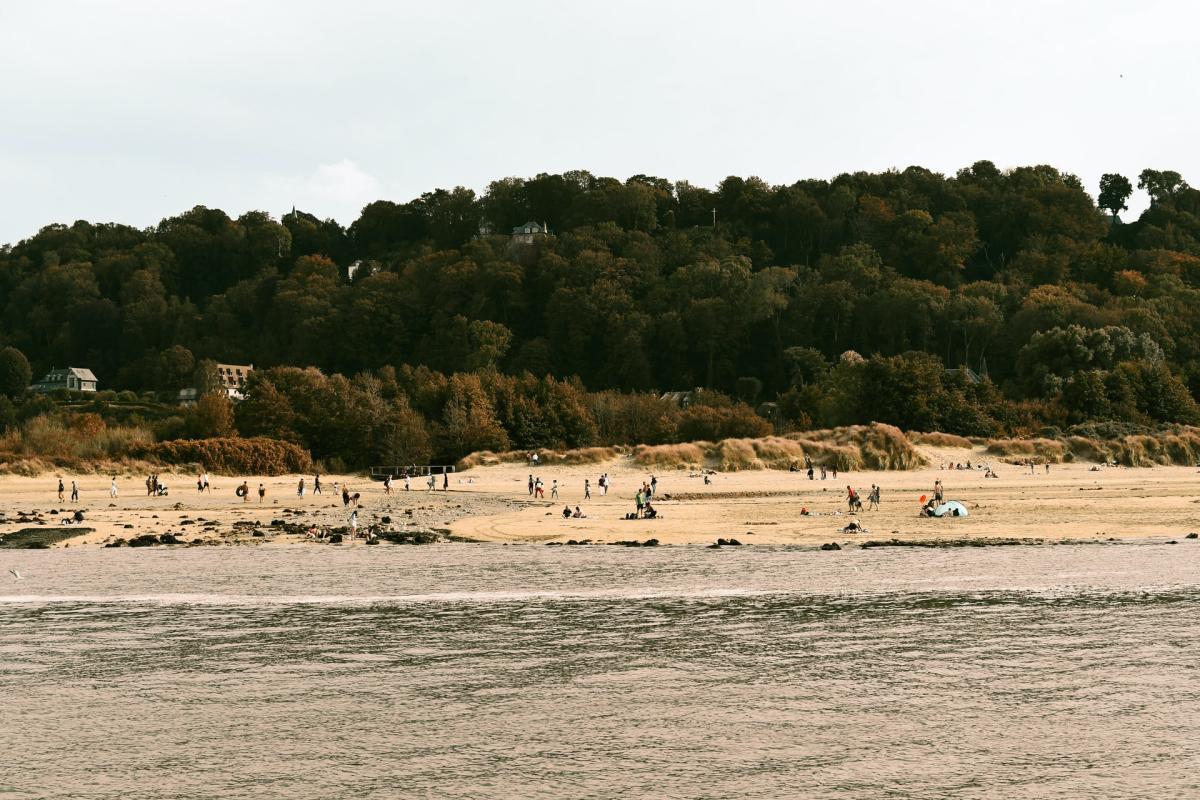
(1076, 502)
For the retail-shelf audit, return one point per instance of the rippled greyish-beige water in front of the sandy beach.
(602, 672)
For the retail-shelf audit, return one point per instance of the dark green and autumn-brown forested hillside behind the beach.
(842, 302)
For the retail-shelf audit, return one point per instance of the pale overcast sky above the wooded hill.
(135, 111)
